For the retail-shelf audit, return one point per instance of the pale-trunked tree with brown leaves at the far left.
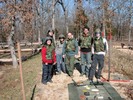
(15, 13)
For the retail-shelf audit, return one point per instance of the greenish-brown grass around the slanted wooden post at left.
(10, 86)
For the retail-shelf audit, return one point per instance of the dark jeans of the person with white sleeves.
(97, 60)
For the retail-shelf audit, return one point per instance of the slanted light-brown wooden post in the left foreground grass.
(21, 72)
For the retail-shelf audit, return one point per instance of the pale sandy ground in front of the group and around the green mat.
(58, 90)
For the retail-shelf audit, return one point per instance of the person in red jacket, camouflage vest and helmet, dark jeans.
(48, 60)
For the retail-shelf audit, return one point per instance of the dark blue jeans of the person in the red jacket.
(47, 73)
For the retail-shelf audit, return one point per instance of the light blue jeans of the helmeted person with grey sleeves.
(60, 63)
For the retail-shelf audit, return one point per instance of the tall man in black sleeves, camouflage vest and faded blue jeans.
(85, 43)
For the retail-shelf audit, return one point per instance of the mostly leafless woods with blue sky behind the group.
(29, 20)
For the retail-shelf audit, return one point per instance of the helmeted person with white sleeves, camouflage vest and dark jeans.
(99, 49)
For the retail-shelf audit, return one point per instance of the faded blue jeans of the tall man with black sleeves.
(85, 62)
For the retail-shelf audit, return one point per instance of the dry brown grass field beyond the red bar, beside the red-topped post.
(121, 62)
